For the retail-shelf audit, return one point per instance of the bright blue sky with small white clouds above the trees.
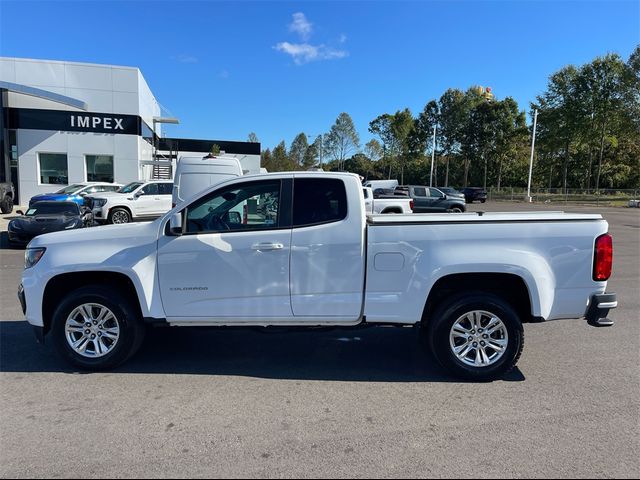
(280, 68)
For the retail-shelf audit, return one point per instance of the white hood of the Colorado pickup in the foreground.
(107, 236)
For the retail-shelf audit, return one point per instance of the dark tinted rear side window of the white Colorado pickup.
(318, 200)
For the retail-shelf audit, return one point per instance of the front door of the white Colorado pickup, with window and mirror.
(226, 267)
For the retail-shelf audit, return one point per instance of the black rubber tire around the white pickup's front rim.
(131, 332)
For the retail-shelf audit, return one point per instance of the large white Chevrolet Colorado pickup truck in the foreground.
(309, 256)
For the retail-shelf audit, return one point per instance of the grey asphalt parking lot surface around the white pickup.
(367, 403)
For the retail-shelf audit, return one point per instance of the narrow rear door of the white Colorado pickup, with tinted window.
(327, 251)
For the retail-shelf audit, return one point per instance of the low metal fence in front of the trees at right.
(559, 195)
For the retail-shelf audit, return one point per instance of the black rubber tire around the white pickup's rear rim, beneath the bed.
(441, 324)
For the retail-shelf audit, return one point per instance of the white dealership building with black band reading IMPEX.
(67, 122)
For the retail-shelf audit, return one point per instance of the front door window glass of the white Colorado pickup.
(244, 207)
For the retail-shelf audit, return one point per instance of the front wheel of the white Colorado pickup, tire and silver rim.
(96, 328)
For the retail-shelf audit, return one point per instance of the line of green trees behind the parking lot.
(588, 136)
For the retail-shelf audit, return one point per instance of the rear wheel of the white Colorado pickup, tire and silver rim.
(477, 336)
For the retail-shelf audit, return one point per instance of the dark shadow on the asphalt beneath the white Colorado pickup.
(383, 354)
